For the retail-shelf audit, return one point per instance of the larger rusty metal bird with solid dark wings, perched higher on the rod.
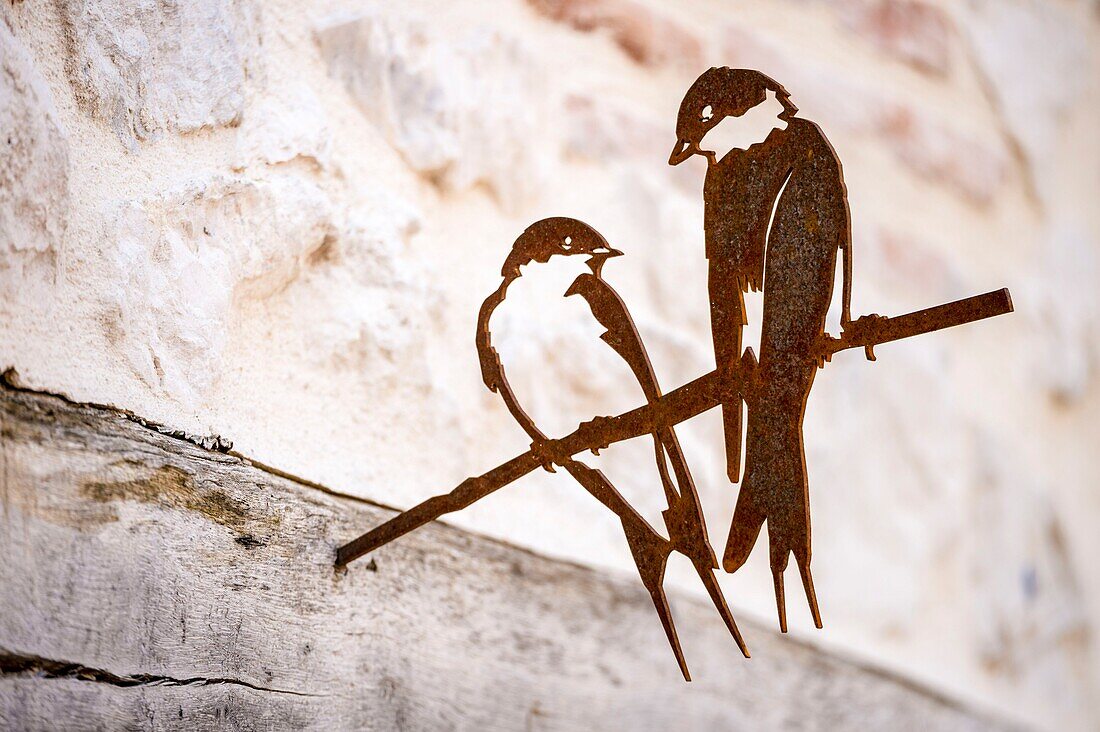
(776, 215)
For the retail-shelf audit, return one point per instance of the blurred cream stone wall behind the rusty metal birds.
(276, 222)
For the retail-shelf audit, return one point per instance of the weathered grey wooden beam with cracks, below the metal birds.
(149, 583)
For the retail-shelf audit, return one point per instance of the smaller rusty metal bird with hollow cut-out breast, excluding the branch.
(566, 237)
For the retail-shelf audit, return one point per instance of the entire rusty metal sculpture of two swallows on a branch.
(777, 220)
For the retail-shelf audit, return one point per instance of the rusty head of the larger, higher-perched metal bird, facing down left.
(718, 94)
